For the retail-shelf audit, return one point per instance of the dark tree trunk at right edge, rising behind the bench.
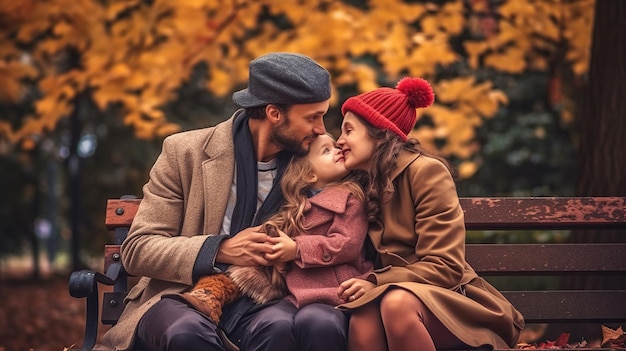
(603, 118)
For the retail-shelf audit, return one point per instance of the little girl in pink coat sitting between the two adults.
(323, 224)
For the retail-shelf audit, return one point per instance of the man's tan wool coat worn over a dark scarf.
(184, 201)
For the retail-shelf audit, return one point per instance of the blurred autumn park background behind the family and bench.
(530, 101)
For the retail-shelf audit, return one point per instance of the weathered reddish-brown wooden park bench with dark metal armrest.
(512, 215)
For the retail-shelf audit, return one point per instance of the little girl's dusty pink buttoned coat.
(332, 249)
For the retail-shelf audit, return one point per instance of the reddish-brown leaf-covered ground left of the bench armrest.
(39, 315)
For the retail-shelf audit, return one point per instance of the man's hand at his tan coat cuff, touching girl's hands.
(247, 248)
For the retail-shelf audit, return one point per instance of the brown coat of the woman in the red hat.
(421, 242)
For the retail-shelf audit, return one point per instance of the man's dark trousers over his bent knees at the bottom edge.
(173, 325)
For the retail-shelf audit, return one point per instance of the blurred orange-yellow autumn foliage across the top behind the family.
(136, 54)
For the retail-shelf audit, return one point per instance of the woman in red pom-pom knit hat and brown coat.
(424, 296)
